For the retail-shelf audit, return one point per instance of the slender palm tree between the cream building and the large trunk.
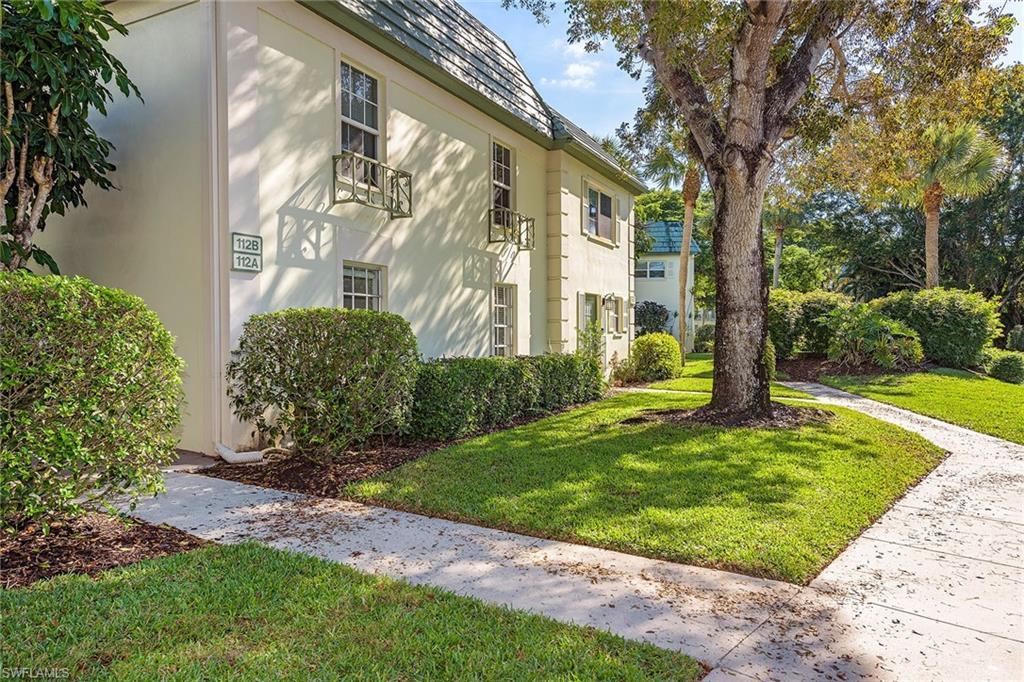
(668, 167)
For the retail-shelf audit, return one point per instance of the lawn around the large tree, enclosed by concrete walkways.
(780, 503)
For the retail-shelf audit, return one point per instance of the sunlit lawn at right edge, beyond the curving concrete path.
(969, 400)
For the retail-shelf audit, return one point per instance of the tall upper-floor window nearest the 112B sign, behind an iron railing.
(360, 115)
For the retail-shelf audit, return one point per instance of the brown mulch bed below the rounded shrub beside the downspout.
(325, 480)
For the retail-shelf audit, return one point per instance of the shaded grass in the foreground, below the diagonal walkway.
(247, 612)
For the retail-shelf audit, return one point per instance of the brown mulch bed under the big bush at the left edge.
(88, 545)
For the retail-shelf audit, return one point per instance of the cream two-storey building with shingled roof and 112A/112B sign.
(392, 156)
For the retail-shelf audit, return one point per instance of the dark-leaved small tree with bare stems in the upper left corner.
(55, 70)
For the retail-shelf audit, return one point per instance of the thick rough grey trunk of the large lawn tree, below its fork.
(741, 387)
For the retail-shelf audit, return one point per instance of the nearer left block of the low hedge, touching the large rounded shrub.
(457, 397)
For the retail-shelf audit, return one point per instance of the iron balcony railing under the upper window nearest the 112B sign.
(368, 182)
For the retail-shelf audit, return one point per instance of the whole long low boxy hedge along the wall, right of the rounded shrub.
(459, 397)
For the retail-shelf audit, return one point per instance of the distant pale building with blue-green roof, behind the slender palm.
(658, 275)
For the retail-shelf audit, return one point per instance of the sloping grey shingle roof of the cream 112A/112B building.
(449, 37)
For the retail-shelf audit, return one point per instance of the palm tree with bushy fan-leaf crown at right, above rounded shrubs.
(958, 161)
